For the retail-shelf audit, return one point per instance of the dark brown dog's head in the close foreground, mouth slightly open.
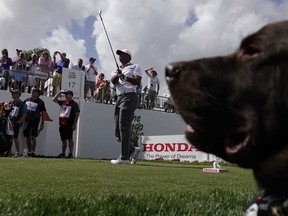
(236, 106)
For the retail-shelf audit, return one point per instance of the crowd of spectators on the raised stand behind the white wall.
(38, 69)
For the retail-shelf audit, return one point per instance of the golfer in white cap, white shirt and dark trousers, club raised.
(126, 79)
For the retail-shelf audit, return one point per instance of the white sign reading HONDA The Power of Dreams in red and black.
(171, 147)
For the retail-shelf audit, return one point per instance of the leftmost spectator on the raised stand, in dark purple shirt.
(6, 63)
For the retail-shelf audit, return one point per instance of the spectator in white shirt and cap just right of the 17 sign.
(90, 78)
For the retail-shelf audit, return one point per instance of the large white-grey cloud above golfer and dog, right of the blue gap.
(154, 31)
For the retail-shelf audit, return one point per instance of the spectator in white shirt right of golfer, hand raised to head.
(153, 87)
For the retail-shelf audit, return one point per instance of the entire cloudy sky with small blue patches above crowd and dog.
(155, 31)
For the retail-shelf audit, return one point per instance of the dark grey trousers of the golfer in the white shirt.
(124, 113)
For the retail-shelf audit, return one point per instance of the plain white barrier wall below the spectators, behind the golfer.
(95, 135)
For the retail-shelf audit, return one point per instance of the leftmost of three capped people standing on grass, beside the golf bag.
(17, 117)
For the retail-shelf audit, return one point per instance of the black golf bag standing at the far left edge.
(5, 138)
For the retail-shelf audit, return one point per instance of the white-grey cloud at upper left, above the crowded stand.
(30, 24)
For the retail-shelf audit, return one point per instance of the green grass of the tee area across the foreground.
(34, 186)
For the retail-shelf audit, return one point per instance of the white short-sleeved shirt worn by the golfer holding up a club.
(128, 70)
